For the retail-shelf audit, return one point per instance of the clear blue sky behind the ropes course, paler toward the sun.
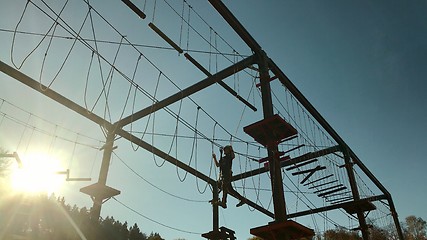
(362, 64)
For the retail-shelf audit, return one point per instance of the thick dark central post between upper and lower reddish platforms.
(275, 169)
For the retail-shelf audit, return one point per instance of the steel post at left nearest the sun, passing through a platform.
(103, 173)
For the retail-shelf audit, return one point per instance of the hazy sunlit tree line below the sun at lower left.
(50, 218)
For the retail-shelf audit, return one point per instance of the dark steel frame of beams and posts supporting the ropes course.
(265, 66)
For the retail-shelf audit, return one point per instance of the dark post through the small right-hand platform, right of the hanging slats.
(355, 192)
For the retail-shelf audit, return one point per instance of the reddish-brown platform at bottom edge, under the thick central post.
(286, 230)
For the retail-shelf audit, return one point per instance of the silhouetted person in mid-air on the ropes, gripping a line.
(225, 166)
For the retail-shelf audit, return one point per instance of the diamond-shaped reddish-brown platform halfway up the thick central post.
(270, 131)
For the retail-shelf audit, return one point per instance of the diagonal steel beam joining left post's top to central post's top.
(219, 76)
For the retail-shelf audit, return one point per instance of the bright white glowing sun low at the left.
(38, 174)
